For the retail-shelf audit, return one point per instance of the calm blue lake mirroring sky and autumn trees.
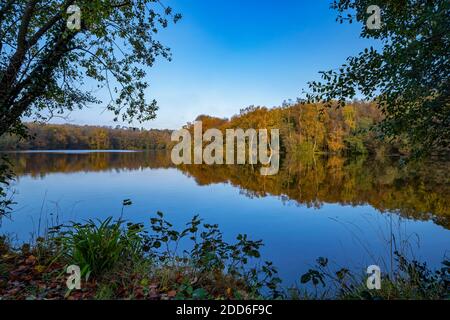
(355, 212)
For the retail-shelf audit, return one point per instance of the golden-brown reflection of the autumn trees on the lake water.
(414, 190)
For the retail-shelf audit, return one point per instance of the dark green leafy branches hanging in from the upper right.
(408, 77)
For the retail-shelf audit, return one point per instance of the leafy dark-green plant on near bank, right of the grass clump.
(221, 266)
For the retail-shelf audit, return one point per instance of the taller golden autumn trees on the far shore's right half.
(314, 128)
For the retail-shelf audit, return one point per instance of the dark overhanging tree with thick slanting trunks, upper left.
(44, 64)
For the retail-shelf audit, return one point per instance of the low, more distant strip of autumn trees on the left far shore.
(66, 137)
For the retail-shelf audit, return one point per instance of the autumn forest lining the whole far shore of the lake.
(304, 129)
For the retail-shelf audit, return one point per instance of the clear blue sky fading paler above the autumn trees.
(229, 54)
